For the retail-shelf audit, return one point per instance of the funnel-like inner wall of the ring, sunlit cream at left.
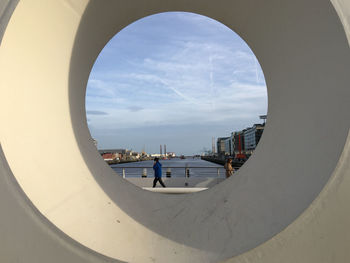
(277, 187)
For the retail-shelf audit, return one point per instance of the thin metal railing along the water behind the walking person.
(171, 171)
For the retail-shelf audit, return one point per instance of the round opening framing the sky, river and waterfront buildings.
(180, 87)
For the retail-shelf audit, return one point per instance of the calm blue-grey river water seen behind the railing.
(197, 168)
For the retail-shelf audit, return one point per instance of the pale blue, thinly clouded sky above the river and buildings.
(173, 78)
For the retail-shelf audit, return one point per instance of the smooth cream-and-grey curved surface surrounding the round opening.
(61, 203)
